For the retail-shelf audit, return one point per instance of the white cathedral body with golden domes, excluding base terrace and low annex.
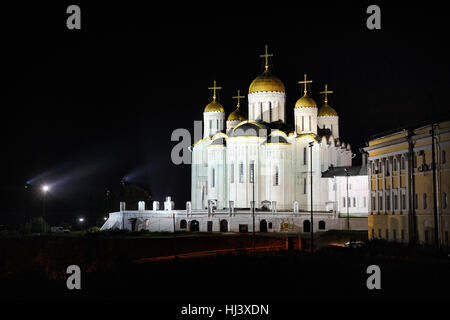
(263, 160)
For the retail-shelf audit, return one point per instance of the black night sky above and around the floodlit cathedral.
(83, 108)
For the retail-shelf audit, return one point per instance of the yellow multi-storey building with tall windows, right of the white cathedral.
(402, 187)
